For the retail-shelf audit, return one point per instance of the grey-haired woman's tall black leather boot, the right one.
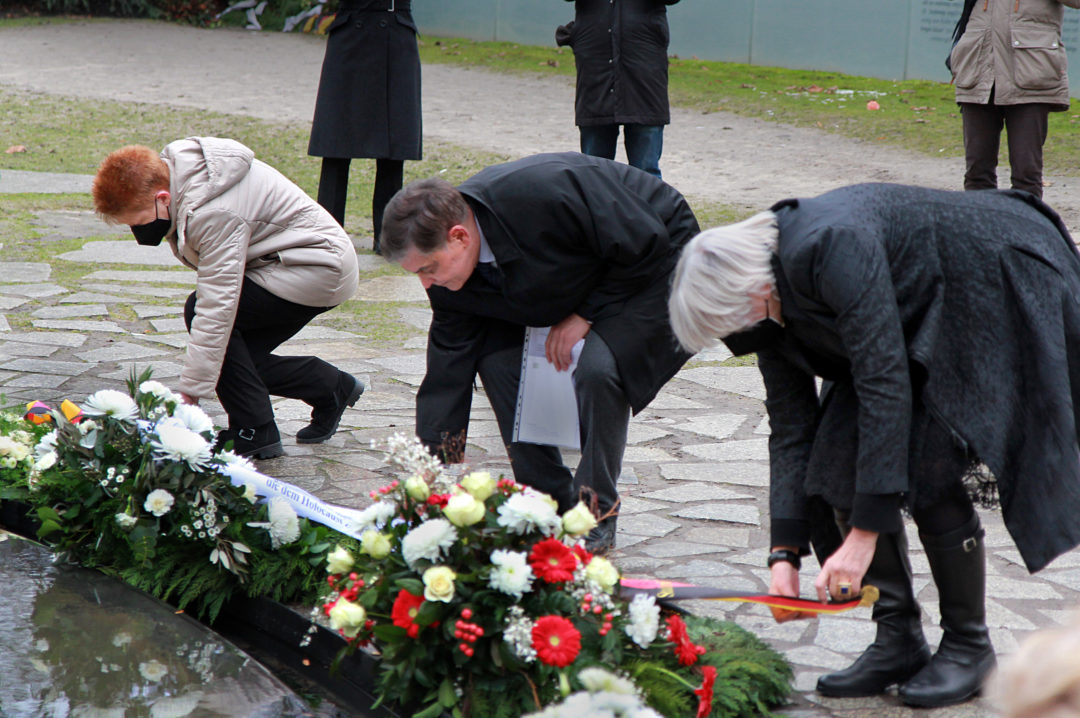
(965, 657)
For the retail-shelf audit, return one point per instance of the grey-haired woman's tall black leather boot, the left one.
(899, 651)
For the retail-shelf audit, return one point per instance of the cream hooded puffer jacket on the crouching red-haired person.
(236, 218)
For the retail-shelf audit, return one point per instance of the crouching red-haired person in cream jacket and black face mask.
(269, 261)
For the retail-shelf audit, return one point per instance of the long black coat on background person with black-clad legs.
(369, 102)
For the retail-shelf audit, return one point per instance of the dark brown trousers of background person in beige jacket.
(1027, 128)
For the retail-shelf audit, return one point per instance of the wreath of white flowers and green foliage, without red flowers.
(134, 489)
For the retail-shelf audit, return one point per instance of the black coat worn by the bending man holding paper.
(571, 234)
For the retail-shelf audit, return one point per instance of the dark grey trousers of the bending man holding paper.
(603, 412)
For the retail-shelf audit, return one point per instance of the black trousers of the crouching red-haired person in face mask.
(252, 373)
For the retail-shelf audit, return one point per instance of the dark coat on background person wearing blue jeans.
(620, 48)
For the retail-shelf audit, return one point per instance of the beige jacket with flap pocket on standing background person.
(1014, 47)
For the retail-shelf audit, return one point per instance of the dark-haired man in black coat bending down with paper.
(582, 245)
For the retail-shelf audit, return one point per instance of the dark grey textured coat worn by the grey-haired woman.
(975, 297)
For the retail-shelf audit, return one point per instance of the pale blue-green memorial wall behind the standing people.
(889, 39)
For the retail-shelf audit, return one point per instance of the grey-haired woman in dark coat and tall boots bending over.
(947, 329)
